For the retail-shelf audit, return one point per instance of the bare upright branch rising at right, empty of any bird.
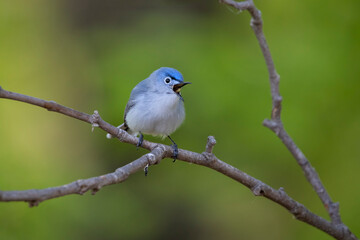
(275, 124)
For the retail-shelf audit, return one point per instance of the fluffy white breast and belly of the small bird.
(160, 114)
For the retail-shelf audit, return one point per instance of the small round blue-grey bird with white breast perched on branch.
(156, 106)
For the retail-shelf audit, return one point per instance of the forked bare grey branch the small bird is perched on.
(158, 152)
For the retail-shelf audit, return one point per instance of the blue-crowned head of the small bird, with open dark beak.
(170, 78)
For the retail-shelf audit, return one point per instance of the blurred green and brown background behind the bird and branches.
(89, 54)
